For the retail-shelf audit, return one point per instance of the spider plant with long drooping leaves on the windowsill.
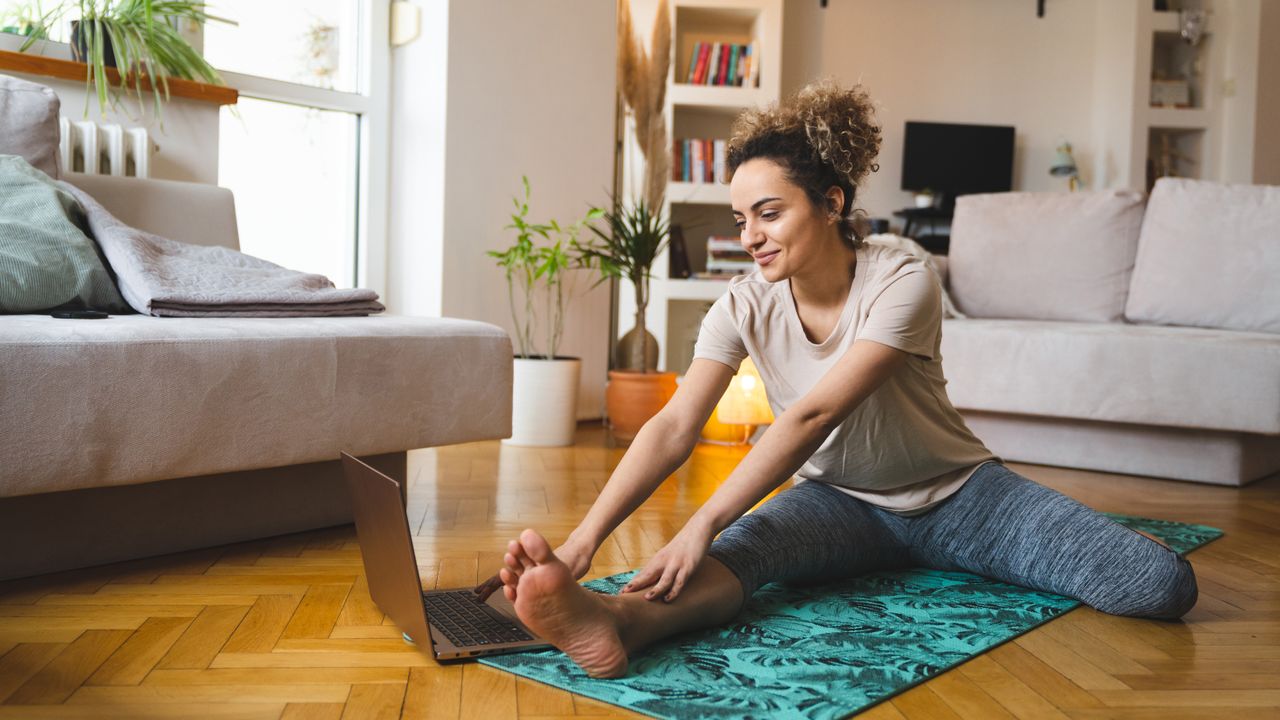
(145, 39)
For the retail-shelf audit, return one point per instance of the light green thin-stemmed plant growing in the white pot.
(540, 265)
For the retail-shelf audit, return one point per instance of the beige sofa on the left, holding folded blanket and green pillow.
(136, 436)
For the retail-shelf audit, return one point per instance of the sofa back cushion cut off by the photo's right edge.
(1209, 257)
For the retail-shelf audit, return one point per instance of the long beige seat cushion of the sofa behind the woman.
(1114, 372)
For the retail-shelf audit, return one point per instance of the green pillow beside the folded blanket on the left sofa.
(47, 259)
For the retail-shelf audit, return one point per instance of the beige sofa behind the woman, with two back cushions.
(1116, 335)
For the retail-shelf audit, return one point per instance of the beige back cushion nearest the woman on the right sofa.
(1044, 256)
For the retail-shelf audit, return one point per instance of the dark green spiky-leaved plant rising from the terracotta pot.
(634, 238)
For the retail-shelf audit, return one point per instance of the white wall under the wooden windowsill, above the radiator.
(186, 142)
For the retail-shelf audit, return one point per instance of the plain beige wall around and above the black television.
(989, 62)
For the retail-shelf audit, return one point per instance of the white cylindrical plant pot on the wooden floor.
(545, 403)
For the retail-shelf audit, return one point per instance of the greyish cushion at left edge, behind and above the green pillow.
(29, 124)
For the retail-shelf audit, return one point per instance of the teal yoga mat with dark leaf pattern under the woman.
(829, 651)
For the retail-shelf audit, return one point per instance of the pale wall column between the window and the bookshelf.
(527, 89)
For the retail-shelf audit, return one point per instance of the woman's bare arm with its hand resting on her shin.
(793, 439)
